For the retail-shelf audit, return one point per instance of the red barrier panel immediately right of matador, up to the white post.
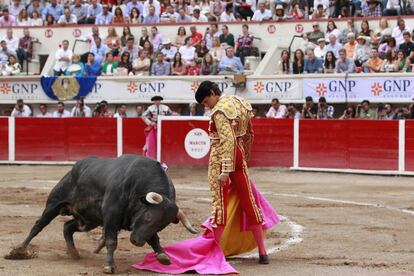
(273, 143)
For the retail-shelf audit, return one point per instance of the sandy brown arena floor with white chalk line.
(334, 224)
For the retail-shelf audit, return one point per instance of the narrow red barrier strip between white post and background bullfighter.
(133, 135)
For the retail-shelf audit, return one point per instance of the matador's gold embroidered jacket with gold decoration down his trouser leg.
(230, 126)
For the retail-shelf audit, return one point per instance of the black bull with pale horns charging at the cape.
(131, 192)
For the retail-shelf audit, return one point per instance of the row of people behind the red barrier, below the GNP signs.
(320, 110)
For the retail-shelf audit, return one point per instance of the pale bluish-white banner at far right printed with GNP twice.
(379, 89)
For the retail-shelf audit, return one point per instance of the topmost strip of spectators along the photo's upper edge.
(41, 12)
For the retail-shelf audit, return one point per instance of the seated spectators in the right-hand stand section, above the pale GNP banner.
(352, 50)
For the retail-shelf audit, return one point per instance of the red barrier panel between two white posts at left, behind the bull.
(51, 139)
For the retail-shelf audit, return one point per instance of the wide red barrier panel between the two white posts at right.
(356, 144)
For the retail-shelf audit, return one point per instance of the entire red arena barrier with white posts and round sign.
(354, 145)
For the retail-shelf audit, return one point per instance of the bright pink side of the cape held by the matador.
(203, 254)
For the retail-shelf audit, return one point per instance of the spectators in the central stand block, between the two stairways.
(189, 53)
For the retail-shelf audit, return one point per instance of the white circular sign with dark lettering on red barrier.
(197, 143)
